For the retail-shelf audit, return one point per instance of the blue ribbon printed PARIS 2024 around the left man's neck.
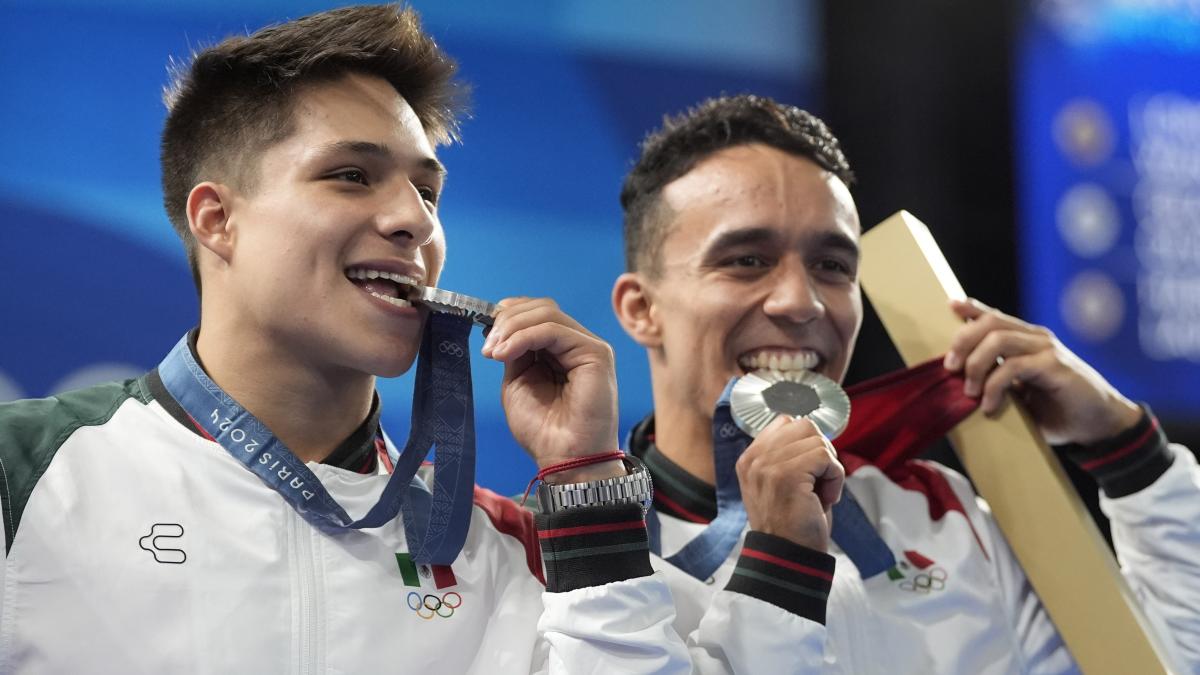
(443, 417)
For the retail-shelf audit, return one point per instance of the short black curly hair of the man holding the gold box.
(686, 140)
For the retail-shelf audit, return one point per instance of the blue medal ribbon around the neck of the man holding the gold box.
(704, 555)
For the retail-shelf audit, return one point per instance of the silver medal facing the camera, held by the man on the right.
(763, 396)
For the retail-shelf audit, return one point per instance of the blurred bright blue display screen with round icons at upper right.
(1109, 172)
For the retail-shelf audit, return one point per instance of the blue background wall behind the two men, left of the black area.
(93, 280)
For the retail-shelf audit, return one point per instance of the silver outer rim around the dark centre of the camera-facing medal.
(753, 415)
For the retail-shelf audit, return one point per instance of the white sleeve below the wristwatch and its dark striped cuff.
(619, 628)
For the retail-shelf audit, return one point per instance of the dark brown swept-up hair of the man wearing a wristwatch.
(236, 99)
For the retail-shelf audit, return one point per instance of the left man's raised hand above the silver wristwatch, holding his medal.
(560, 390)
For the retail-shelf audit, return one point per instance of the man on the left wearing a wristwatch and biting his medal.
(232, 511)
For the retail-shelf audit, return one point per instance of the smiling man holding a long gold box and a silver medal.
(742, 253)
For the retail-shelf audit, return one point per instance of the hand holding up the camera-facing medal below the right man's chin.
(790, 480)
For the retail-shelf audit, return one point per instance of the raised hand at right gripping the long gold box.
(1067, 398)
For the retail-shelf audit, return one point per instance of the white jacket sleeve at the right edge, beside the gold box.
(1156, 533)
